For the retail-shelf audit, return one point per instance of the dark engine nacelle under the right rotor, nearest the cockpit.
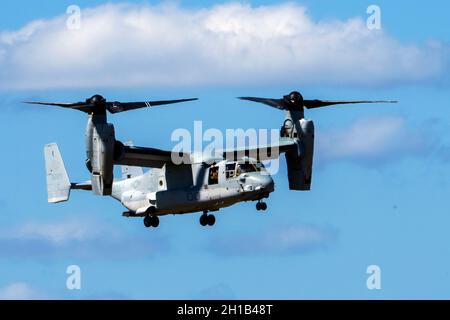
(299, 162)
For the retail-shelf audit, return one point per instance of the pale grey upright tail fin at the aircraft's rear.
(58, 183)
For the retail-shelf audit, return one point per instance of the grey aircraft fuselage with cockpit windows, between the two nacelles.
(208, 188)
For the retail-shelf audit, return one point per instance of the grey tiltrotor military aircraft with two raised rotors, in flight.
(194, 185)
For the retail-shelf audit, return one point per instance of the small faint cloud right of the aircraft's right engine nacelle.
(373, 140)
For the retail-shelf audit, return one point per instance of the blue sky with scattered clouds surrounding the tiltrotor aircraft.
(380, 187)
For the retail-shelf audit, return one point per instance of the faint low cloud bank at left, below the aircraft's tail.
(77, 239)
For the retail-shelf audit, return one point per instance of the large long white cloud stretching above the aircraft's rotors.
(140, 45)
